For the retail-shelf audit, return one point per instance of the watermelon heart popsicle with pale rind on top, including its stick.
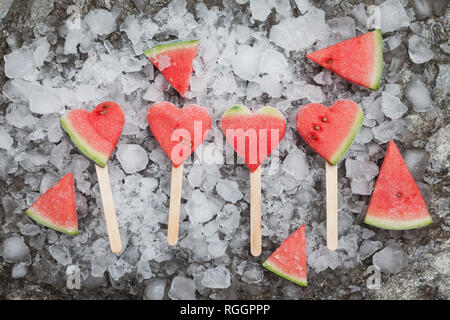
(254, 136)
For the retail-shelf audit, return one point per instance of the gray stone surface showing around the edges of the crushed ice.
(426, 276)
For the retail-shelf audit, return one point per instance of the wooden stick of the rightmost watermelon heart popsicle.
(332, 217)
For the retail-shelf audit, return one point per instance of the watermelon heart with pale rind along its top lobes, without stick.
(253, 135)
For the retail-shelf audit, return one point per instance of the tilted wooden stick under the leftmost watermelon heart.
(109, 209)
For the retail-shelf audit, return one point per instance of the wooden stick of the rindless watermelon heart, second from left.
(176, 184)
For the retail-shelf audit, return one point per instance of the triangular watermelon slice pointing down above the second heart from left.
(174, 61)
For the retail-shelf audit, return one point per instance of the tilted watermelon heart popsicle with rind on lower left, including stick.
(95, 134)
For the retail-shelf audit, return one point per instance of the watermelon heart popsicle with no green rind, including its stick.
(179, 132)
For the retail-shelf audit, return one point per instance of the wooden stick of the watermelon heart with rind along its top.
(255, 212)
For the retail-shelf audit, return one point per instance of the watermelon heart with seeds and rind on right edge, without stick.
(330, 131)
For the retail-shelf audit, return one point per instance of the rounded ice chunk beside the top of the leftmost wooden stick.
(132, 157)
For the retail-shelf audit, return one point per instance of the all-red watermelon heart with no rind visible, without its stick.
(178, 131)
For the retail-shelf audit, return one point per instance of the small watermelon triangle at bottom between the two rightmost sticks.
(289, 260)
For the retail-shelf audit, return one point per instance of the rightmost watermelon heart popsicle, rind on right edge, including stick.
(330, 132)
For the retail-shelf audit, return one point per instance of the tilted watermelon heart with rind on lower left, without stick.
(95, 133)
